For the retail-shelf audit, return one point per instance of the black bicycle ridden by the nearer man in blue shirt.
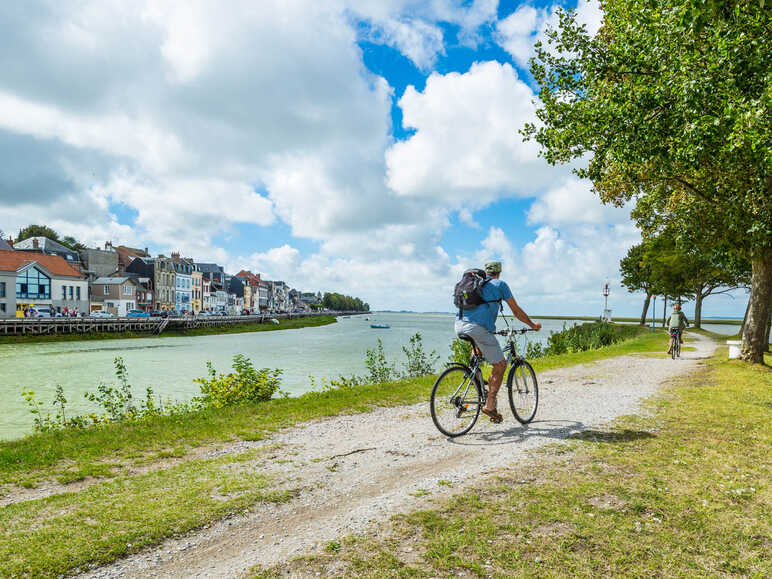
(460, 391)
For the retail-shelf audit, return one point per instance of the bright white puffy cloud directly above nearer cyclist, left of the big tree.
(466, 148)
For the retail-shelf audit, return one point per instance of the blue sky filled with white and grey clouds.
(369, 147)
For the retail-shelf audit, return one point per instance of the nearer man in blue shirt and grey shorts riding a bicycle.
(480, 324)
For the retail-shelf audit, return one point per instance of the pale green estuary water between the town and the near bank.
(169, 365)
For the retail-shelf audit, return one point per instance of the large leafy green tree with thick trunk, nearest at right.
(668, 104)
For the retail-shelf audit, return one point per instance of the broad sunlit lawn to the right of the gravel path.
(684, 493)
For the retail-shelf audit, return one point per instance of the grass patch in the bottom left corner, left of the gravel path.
(61, 533)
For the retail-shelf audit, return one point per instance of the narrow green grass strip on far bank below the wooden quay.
(241, 328)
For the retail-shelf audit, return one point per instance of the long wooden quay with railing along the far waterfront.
(48, 326)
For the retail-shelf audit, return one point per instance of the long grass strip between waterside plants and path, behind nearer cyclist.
(38, 457)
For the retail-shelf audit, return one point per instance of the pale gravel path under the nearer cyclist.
(356, 471)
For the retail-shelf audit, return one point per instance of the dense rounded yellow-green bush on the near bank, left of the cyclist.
(244, 385)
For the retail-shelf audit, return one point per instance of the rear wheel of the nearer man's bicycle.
(456, 401)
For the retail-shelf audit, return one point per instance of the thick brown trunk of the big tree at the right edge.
(754, 333)
